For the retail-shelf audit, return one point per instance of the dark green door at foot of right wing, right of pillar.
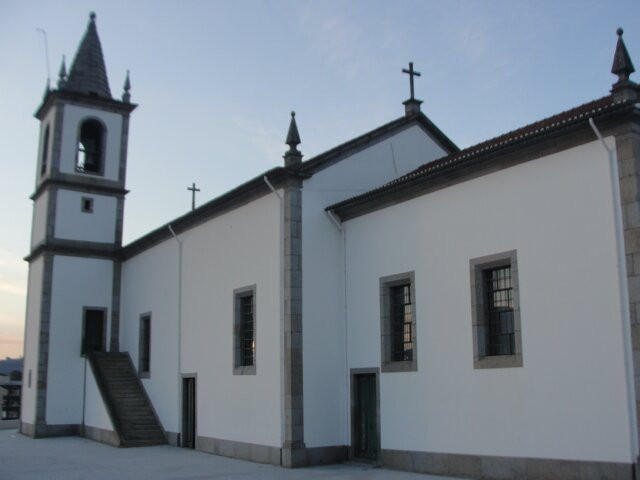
(365, 417)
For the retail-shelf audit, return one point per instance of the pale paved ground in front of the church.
(74, 458)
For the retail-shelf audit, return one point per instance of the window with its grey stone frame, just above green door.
(398, 323)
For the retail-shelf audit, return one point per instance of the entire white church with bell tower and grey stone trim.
(473, 313)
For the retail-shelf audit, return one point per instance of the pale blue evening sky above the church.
(216, 80)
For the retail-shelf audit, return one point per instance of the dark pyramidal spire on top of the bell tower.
(88, 73)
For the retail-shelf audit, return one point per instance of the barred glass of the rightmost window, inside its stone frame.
(499, 311)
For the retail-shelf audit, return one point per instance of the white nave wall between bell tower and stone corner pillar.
(233, 250)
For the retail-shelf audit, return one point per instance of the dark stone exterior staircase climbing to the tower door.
(126, 400)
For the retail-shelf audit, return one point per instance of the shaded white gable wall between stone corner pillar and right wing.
(325, 380)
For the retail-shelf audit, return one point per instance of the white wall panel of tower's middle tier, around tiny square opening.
(74, 224)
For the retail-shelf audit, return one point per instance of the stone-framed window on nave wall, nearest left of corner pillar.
(244, 327)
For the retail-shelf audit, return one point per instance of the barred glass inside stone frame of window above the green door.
(401, 323)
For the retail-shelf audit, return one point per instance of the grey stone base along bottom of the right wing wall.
(504, 468)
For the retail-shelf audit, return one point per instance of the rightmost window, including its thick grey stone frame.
(496, 311)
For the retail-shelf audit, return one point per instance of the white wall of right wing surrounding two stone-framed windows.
(568, 400)
